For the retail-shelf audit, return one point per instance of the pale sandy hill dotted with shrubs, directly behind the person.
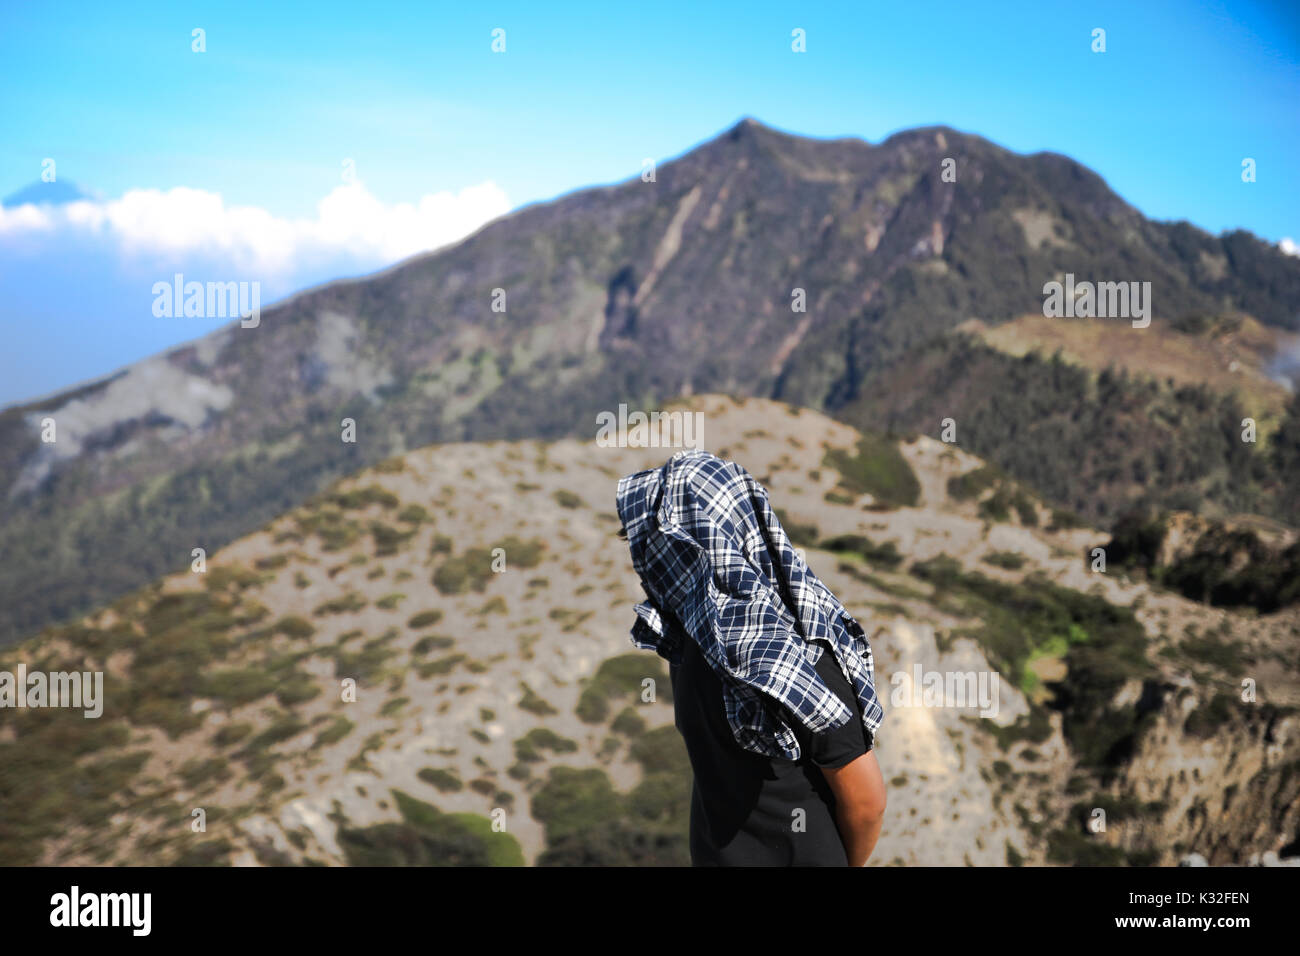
(500, 715)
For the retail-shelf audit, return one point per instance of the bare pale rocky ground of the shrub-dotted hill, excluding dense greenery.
(337, 589)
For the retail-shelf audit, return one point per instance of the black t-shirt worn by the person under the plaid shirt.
(744, 807)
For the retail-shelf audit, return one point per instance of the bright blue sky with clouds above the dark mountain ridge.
(414, 96)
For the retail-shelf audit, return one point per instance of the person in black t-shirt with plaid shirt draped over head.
(773, 681)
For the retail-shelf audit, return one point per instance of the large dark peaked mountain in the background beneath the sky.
(647, 291)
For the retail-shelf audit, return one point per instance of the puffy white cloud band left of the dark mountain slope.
(350, 223)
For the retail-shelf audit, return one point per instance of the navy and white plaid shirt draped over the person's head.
(716, 563)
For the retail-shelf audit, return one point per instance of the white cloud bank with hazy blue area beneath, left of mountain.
(77, 276)
